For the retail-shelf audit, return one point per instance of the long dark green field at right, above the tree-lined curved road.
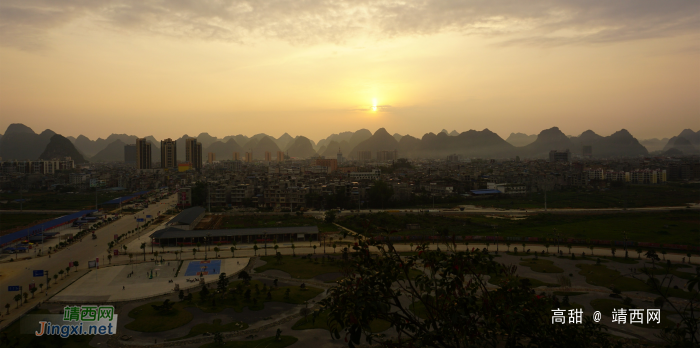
(676, 227)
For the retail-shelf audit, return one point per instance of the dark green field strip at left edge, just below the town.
(59, 201)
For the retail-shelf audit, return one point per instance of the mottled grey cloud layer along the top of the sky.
(27, 24)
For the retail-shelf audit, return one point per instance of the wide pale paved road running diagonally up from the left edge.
(20, 272)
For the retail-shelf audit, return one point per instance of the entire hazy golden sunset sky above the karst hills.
(316, 67)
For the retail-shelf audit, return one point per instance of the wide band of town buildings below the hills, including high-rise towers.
(289, 184)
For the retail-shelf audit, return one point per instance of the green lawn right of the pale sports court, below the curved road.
(298, 267)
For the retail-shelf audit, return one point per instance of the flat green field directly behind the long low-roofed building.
(286, 220)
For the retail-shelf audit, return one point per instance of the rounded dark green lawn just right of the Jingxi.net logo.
(148, 319)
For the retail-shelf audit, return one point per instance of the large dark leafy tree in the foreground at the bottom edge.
(458, 311)
